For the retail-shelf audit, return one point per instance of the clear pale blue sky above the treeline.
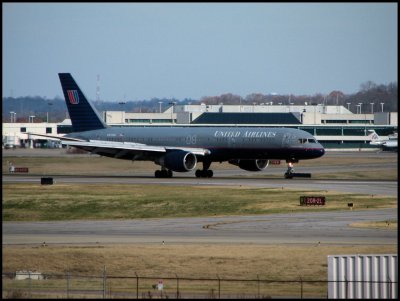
(138, 51)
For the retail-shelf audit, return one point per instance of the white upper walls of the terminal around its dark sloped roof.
(308, 115)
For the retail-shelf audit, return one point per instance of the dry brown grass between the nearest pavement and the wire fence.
(186, 260)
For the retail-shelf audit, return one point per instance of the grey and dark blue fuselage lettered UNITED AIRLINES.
(224, 143)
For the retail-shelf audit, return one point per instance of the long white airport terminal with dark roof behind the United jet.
(335, 127)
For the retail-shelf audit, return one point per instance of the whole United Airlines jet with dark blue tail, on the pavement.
(180, 148)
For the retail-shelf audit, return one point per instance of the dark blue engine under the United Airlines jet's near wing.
(179, 161)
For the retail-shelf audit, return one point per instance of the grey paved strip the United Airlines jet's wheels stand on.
(387, 188)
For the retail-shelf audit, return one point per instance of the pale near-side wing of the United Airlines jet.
(124, 149)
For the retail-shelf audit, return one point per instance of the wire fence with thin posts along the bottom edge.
(143, 287)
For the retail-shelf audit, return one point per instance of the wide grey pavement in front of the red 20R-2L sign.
(311, 228)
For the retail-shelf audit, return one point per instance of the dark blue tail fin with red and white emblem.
(84, 116)
